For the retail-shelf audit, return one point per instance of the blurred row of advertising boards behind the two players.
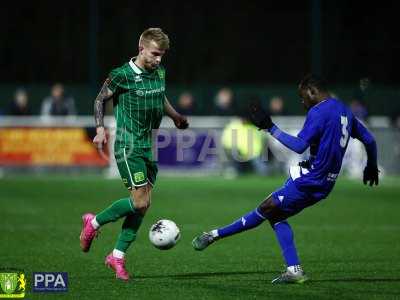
(63, 144)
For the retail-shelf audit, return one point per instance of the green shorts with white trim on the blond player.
(136, 166)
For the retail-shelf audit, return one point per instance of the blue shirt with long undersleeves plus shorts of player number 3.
(327, 130)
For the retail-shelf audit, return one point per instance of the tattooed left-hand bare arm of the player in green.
(104, 95)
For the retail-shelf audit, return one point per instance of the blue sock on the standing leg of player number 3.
(284, 235)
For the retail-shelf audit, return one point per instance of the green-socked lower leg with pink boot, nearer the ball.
(116, 259)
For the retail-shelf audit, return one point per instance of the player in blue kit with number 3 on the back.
(328, 126)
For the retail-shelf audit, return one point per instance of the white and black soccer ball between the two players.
(164, 234)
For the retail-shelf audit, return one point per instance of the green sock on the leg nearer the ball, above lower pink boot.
(129, 231)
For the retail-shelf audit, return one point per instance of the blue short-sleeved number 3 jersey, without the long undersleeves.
(328, 126)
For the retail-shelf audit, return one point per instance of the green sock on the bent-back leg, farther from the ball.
(118, 209)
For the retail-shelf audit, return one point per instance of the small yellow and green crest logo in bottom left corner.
(12, 285)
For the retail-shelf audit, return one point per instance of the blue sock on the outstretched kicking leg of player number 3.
(249, 221)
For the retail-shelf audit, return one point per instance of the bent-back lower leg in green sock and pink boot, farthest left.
(92, 223)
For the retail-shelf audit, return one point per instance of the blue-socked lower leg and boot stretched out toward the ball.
(248, 221)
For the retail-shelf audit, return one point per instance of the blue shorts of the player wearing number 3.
(290, 200)
